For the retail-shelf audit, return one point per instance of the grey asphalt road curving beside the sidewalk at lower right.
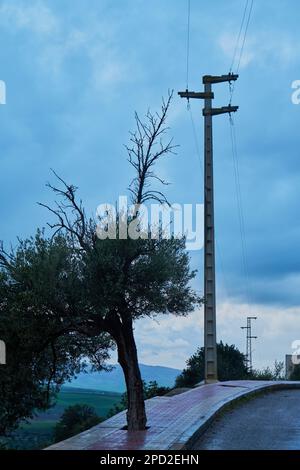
(270, 421)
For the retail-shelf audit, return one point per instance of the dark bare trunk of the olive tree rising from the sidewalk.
(127, 358)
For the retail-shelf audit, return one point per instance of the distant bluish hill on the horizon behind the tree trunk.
(114, 381)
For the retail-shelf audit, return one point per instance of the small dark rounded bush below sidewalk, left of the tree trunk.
(75, 419)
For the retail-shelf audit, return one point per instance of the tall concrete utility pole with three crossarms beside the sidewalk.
(210, 341)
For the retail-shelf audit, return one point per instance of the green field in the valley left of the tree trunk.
(38, 433)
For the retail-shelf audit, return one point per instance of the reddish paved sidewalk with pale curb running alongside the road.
(174, 422)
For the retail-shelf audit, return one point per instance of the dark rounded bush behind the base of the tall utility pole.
(231, 366)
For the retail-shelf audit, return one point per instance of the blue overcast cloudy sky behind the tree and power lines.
(76, 70)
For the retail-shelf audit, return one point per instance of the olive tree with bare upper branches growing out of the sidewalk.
(106, 284)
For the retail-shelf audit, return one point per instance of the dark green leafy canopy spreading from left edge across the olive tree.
(57, 303)
